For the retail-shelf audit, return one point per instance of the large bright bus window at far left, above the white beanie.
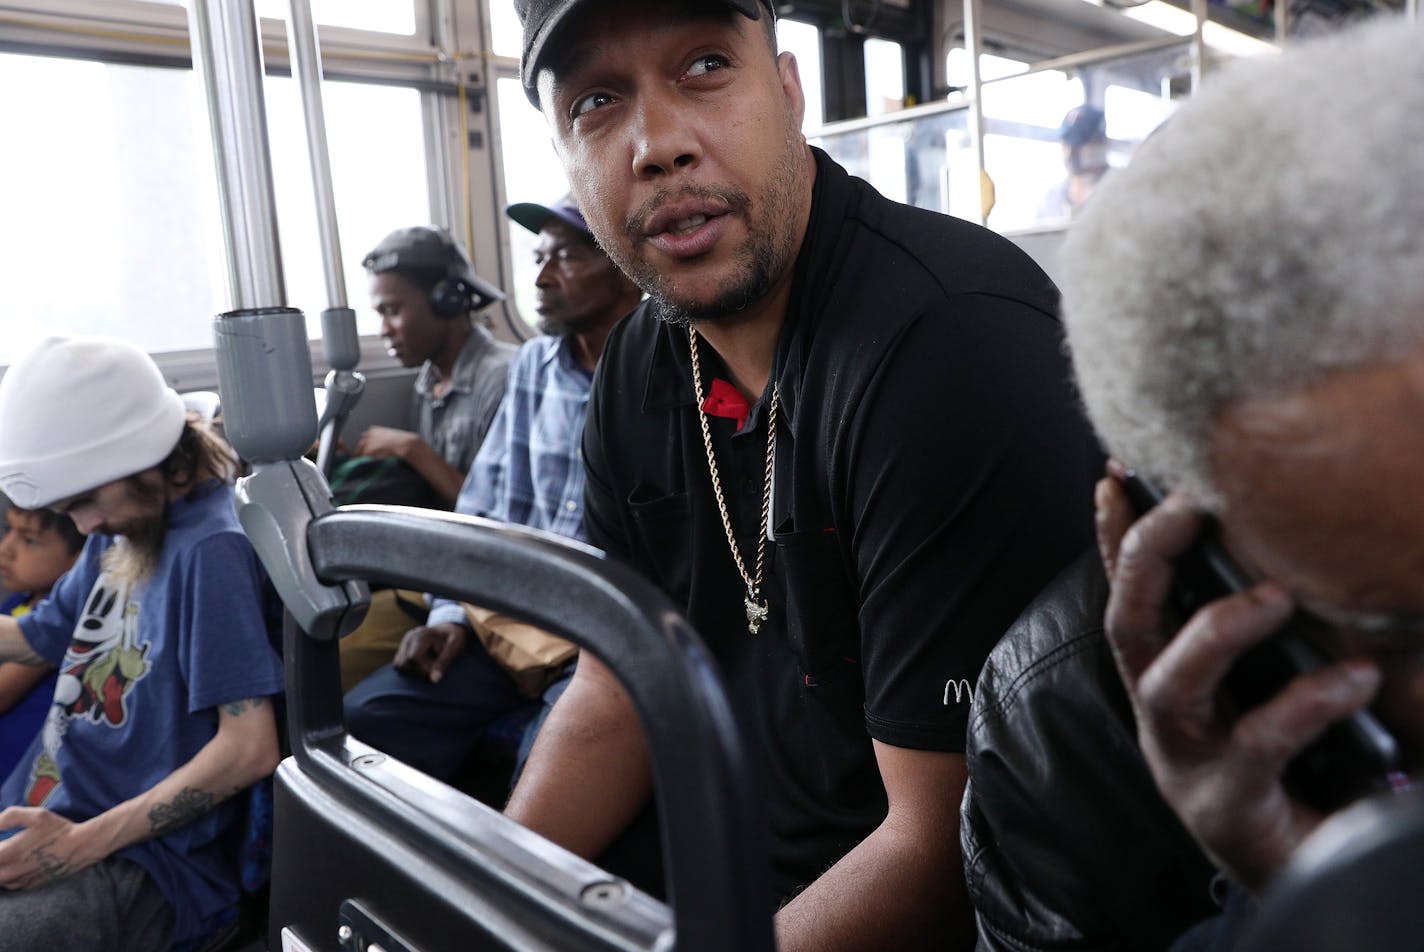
(108, 174)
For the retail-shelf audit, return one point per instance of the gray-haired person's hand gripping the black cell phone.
(1218, 769)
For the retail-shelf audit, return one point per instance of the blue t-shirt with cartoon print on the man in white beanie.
(140, 678)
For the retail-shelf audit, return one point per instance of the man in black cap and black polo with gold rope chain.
(839, 433)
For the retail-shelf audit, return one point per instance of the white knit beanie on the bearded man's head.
(79, 413)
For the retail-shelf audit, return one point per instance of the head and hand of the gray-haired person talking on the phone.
(1251, 334)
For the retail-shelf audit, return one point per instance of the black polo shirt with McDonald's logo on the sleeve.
(933, 473)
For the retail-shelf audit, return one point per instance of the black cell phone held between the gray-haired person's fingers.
(1355, 756)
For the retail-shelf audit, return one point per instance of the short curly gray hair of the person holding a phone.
(1268, 236)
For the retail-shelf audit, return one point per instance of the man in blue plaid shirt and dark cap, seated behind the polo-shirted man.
(431, 707)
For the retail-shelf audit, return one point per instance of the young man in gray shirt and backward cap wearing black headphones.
(425, 290)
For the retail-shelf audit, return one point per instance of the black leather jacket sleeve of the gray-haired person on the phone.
(1067, 843)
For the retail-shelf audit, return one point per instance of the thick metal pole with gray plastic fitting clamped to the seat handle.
(261, 345)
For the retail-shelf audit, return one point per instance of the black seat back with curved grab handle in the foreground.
(368, 850)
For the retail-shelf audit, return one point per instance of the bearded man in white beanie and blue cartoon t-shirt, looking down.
(113, 827)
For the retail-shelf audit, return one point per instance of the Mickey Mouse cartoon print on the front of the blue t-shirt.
(103, 664)
